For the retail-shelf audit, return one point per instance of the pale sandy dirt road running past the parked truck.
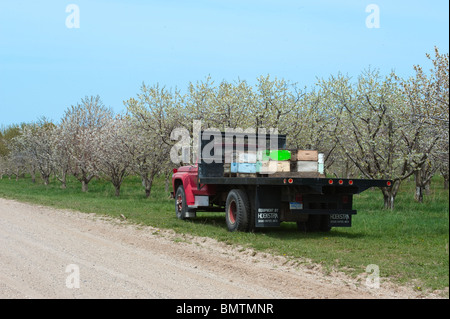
(49, 253)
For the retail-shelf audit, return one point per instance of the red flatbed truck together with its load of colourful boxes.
(257, 186)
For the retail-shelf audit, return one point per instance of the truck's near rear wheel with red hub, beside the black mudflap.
(237, 210)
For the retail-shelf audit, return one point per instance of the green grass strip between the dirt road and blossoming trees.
(409, 244)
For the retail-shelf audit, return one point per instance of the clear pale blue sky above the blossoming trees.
(45, 66)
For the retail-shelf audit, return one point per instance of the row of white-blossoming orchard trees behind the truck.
(371, 127)
